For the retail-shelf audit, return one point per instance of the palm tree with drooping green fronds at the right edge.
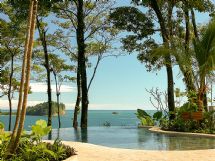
(204, 48)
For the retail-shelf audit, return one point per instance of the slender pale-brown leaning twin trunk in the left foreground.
(25, 79)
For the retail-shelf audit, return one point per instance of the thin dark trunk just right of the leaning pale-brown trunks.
(42, 34)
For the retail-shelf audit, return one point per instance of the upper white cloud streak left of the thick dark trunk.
(42, 87)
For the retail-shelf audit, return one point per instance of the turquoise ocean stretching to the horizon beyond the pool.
(95, 118)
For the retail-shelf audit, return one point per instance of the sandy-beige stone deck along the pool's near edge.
(91, 152)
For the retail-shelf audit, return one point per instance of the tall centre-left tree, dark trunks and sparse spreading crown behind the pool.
(83, 20)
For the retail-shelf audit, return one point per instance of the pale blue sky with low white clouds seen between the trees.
(120, 83)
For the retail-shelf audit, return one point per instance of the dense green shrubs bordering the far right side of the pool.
(178, 124)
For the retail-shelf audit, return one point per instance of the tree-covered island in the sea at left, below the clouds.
(42, 109)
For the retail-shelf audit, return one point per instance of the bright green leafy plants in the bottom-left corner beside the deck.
(29, 150)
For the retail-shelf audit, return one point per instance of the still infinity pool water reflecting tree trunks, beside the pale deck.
(132, 138)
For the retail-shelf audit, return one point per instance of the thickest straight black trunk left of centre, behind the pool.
(82, 63)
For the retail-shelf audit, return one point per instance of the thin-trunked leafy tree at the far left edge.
(11, 47)
